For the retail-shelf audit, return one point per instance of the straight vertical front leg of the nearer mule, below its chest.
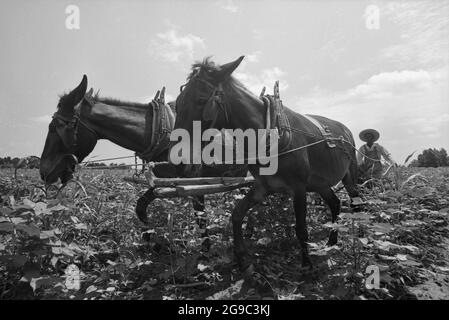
(301, 225)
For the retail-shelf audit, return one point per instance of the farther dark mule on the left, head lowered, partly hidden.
(81, 120)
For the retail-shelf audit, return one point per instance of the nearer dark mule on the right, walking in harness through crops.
(316, 168)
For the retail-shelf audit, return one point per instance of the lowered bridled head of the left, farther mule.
(68, 142)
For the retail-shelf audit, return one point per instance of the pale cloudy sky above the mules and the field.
(331, 58)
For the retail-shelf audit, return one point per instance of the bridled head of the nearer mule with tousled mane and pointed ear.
(201, 99)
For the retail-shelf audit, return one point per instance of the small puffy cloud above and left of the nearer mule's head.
(173, 47)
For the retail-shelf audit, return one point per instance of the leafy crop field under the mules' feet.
(394, 248)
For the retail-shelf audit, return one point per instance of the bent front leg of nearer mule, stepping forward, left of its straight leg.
(255, 195)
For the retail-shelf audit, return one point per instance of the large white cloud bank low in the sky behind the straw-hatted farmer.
(408, 107)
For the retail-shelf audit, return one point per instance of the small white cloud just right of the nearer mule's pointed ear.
(267, 78)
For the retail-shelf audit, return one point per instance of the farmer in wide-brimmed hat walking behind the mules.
(369, 155)
